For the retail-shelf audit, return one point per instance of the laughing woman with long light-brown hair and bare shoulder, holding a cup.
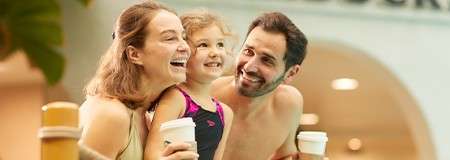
(148, 54)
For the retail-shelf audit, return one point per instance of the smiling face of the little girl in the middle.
(208, 54)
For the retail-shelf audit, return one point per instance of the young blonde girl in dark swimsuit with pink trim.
(206, 35)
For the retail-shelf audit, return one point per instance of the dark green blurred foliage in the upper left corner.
(34, 27)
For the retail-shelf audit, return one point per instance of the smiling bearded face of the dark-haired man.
(260, 65)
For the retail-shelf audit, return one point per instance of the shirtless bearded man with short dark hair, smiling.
(266, 111)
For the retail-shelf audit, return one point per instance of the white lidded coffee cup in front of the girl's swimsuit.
(179, 130)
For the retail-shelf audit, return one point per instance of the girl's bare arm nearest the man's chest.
(228, 118)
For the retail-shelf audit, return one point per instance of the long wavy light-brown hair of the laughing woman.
(117, 77)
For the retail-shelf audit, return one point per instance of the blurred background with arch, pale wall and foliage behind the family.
(375, 77)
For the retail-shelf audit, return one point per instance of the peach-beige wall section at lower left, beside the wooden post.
(19, 121)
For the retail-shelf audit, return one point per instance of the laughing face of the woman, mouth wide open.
(165, 50)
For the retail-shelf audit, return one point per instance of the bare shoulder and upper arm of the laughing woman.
(106, 124)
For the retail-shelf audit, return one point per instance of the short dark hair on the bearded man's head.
(296, 41)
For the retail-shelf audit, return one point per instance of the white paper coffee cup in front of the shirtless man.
(312, 142)
